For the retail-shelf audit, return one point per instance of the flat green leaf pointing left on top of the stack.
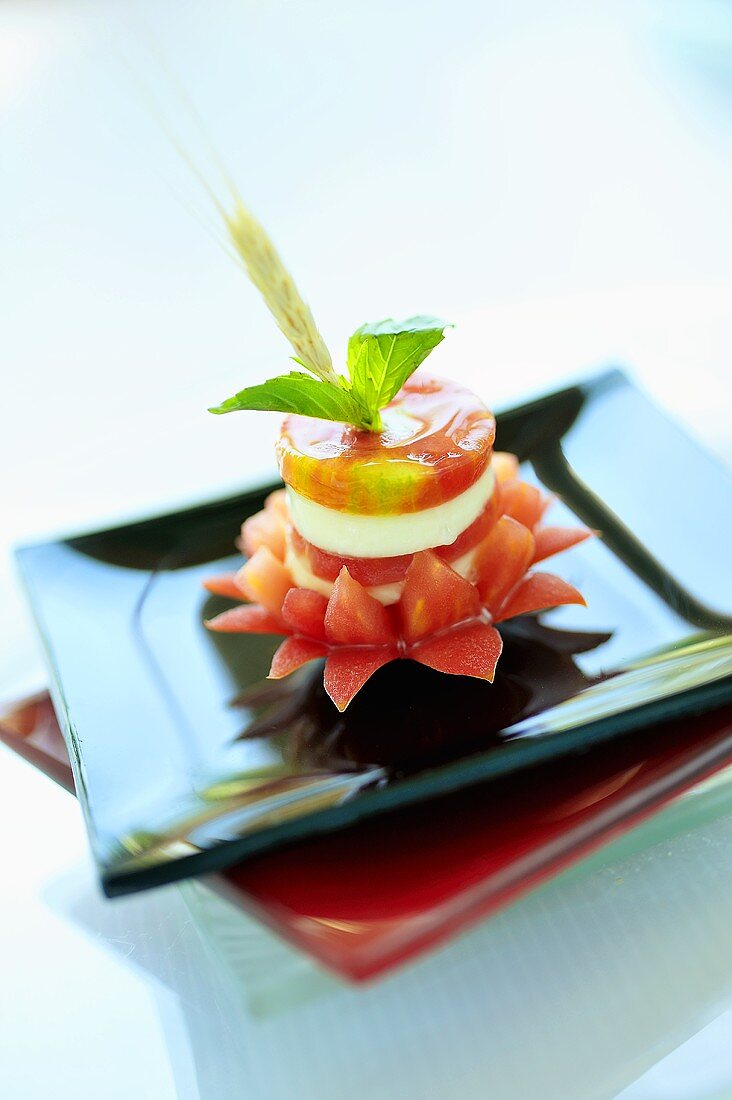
(297, 393)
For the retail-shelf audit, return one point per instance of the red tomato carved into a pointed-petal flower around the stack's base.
(442, 619)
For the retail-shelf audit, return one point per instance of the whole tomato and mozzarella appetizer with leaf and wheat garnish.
(400, 534)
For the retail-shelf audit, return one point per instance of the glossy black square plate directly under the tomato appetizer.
(187, 760)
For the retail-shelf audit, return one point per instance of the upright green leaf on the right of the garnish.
(381, 357)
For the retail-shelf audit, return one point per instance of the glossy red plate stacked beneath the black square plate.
(370, 897)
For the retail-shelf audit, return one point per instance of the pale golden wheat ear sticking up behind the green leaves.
(276, 284)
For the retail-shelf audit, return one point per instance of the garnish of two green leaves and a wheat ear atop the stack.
(381, 357)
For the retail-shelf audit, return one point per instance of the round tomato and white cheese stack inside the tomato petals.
(370, 502)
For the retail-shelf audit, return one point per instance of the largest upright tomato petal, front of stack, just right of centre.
(434, 598)
